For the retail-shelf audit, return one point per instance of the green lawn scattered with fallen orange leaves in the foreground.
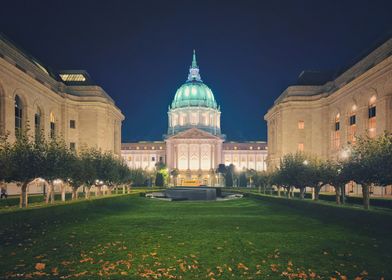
(251, 238)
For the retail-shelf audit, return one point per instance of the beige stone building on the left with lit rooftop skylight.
(66, 104)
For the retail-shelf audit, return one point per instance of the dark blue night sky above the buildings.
(248, 51)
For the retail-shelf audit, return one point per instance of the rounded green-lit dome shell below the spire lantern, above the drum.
(194, 93)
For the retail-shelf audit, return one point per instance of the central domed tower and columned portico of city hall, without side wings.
(194, 139)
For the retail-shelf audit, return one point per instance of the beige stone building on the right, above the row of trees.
(323, 119)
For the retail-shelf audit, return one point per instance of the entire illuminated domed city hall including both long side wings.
(194, 143)
